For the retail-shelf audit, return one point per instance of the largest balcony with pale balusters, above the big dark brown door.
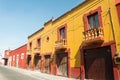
(95, 35)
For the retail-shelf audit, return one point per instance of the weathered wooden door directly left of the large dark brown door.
(62, 64)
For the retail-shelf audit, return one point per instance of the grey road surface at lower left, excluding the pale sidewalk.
(8, 74)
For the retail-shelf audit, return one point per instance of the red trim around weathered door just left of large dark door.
(69, 70)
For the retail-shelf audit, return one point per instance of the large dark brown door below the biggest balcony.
(98, 64)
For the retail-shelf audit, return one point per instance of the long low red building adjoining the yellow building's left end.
(18, 57)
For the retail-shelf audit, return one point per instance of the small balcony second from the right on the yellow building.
(61, 44)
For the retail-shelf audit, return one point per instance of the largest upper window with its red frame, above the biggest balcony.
(93, 19)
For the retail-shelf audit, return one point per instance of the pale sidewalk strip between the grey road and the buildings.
(39, 75)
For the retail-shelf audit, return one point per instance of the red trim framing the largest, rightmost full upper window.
(87, 27)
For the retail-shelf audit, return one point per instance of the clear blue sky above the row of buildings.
(21, 18)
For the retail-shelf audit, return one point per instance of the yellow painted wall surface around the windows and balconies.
(75, 27)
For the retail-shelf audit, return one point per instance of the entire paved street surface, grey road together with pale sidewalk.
(12, 73)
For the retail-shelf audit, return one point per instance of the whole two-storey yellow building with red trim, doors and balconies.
(81, 43)
